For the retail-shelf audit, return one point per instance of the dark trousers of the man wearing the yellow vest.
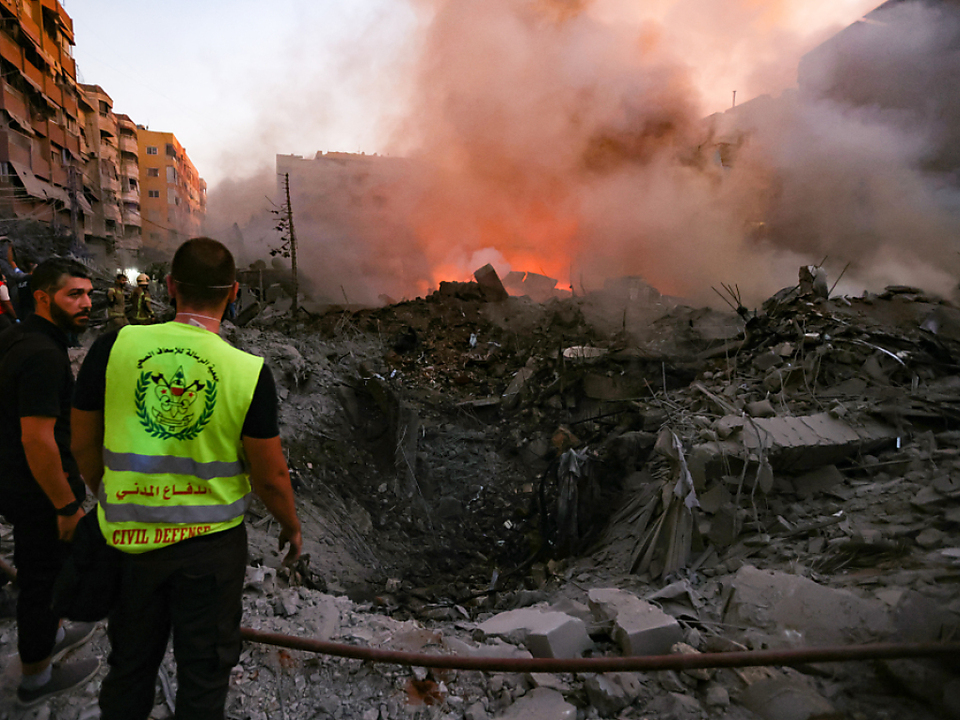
(194, 588)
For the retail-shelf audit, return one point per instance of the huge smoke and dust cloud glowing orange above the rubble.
(581, 140)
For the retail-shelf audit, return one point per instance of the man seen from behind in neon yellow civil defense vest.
(173, 429)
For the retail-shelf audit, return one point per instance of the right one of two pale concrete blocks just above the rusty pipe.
(638, 627)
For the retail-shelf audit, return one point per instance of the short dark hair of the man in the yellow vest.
(204, 272)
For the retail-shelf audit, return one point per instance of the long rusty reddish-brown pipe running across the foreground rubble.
(752, 658)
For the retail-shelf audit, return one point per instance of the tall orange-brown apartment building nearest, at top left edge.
(40, 136)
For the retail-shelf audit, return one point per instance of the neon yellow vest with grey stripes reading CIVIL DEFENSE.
(176, 399)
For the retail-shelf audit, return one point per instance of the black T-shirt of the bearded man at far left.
(35, 381)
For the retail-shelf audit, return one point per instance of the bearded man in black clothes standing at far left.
(40, 486)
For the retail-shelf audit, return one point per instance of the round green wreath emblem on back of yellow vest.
(175, 405)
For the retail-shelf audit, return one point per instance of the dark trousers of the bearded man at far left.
(39, 555)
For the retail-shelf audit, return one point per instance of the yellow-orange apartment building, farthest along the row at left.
(173, 196)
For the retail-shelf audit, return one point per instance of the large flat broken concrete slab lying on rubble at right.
(795, 444)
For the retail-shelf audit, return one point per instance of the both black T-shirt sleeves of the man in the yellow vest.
(261, 421)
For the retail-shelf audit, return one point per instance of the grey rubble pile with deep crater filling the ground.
(603, 475)
